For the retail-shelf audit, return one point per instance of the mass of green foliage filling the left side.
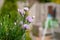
(10, 18)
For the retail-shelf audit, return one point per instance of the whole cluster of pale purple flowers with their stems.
(27, 18)
